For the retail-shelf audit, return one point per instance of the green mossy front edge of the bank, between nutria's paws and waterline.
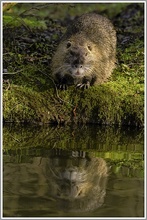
(95, 105)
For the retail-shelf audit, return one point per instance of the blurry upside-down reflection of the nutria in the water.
(78, 183)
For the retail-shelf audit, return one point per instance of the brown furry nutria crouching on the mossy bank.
(86, 53)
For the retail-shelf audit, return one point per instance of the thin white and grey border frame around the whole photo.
(1, 101)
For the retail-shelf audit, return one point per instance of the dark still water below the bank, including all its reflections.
(66, 171)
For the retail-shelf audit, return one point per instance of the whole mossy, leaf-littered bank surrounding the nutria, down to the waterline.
(31, 33)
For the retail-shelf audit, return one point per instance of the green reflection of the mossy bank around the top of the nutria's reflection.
(121, 148)
